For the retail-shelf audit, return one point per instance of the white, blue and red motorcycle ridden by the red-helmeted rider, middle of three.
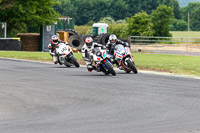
(102, 62)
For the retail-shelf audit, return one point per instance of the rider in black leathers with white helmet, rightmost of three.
(112, 42)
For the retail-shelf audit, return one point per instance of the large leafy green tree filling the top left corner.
(30, 13)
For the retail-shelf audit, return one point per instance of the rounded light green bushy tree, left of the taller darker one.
(140, 25)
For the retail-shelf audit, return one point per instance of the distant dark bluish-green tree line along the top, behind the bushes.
(85, 11)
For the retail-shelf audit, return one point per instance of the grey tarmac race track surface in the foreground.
(48, 98)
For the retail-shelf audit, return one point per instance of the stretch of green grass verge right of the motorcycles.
(180, 64)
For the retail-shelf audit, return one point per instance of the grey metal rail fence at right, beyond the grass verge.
(182, 44)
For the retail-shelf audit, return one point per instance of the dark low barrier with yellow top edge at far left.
(10, 44)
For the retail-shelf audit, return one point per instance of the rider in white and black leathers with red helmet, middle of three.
(87, 51)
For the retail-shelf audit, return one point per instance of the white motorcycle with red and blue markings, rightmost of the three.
(125, 58)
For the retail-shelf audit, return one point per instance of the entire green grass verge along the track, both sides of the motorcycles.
(189, 65)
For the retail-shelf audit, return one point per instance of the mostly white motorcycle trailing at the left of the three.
(66, 55)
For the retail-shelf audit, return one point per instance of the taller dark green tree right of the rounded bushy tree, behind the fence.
(161, 18)
